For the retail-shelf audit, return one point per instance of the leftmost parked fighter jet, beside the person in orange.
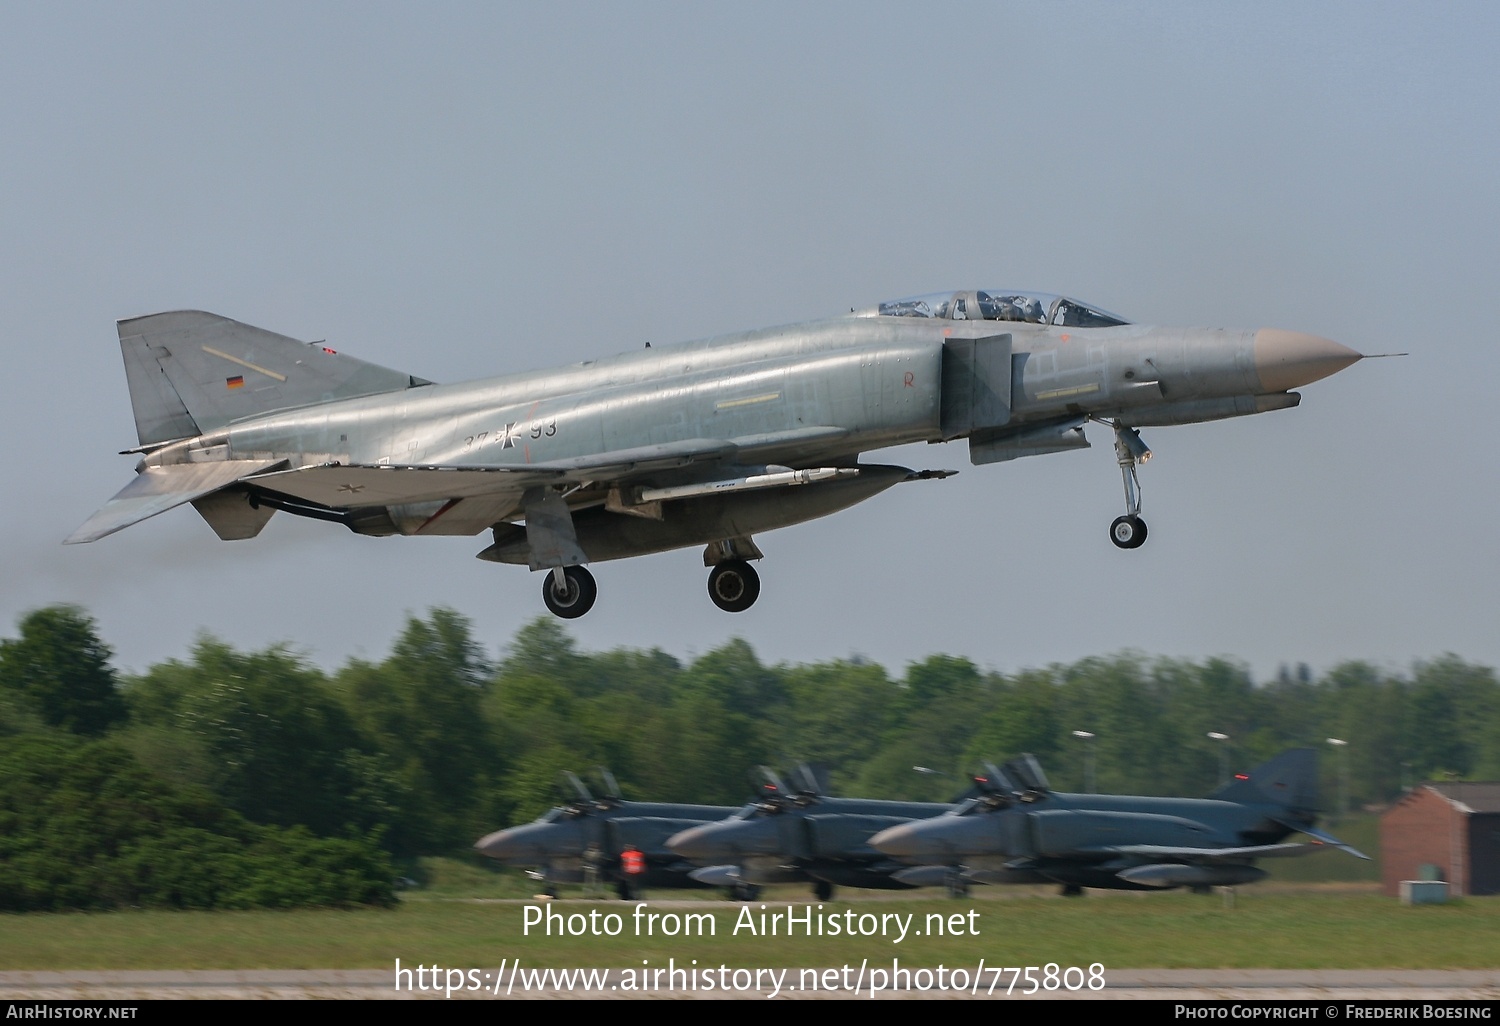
(593, 833)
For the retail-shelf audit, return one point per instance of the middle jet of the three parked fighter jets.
(787, 836)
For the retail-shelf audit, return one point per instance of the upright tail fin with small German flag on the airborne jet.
(193, 373)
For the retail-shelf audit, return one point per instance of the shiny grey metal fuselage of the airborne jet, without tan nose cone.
(875, 379)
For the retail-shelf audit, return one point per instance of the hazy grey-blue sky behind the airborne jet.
(467, 190)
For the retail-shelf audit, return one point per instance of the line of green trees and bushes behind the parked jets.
(236, 779)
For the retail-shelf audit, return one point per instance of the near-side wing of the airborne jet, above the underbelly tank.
(340, 485)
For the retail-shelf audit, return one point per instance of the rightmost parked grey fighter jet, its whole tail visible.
(1021, 832)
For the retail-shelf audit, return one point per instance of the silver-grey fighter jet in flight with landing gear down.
(704, 443)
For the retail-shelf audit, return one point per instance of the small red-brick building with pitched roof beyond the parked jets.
(1454, 827)
